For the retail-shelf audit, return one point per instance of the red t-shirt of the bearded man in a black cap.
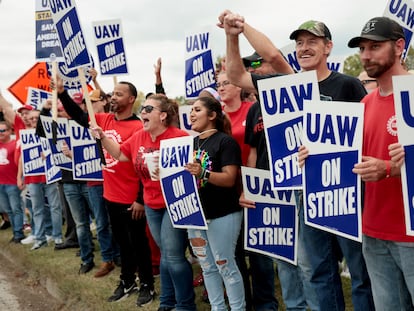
(383, 214)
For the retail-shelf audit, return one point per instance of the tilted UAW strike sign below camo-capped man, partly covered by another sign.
(281, 101)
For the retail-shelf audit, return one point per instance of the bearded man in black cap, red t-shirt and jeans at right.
(387, 248)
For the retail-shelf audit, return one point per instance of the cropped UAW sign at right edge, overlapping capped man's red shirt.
(404, 110)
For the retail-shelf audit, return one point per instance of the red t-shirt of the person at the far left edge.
(8, 167)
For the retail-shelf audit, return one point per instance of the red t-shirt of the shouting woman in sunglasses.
(134, 148)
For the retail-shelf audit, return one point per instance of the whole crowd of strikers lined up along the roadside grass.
(133, 226)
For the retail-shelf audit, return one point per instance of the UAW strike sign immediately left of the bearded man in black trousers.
(86, 160)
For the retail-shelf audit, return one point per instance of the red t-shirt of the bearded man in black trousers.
(120, 179)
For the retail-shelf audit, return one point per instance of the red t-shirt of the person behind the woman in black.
(238, 128)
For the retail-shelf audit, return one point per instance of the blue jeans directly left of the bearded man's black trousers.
(103, 229)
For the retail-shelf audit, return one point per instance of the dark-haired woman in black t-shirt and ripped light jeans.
(217, 160)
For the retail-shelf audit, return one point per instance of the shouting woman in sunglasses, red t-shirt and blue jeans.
(158, 115)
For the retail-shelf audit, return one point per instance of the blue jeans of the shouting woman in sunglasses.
(175, 271)
